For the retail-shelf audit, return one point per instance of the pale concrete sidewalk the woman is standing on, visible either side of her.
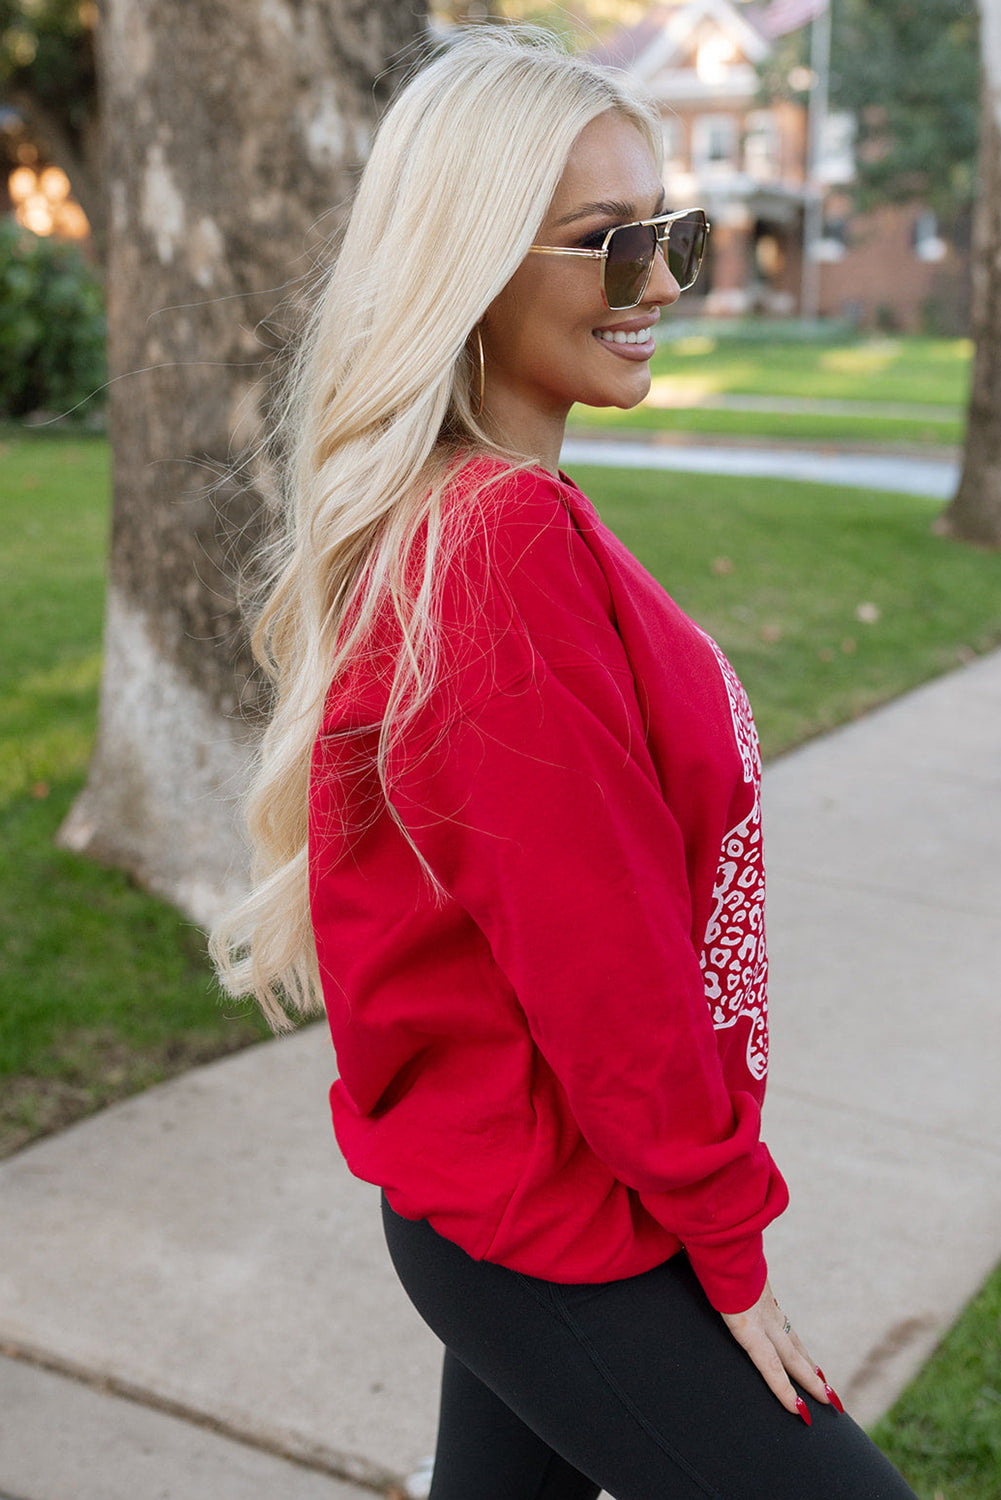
(194, 1294)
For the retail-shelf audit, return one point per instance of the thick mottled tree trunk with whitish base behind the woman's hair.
(233, 128)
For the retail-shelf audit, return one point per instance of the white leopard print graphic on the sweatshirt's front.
(735, 959)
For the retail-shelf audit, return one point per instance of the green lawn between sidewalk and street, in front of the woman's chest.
(781, 574)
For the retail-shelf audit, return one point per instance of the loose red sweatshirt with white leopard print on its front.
(561, 1066)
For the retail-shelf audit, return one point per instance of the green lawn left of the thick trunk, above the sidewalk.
(103, 989)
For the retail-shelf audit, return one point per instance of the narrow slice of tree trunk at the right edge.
(975, 515)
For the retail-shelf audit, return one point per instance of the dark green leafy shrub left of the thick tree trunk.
(52, 325)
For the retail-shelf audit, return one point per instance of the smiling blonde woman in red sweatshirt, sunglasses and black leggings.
(508, 823)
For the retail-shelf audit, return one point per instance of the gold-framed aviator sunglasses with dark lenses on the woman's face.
(628, 254)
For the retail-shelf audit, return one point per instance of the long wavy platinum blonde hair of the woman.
(383, 404)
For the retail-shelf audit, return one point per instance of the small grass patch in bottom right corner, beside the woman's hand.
(945, 1433)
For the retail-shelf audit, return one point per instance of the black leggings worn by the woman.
(637, 1387)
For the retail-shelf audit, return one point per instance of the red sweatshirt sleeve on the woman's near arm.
(538, 808)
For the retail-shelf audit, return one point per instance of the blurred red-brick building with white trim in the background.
(747, 163)
